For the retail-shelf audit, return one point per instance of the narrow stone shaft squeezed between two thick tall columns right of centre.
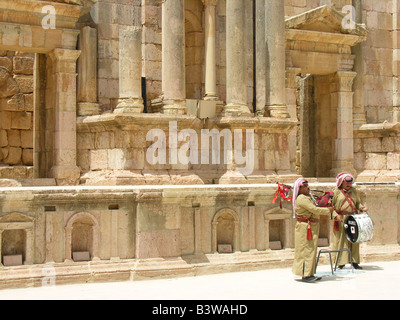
(261, 58)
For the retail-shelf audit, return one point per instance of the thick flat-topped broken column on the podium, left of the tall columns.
(130, 71)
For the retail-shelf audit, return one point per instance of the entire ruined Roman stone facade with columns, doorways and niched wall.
(145, 138)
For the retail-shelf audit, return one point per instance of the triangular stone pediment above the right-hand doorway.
(324, 24)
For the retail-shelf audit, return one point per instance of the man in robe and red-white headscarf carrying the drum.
(346, 201)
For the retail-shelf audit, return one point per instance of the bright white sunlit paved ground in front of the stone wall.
(378, 280)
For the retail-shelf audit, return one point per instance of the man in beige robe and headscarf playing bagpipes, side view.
(306, 231)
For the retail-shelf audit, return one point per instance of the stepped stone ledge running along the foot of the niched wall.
(148, 269)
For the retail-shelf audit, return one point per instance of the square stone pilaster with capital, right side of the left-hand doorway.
(64, 169)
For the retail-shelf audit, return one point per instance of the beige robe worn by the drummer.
(339, 237)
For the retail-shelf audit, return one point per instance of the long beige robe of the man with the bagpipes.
(306, 250)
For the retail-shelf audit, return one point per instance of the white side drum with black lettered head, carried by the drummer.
(359, 228)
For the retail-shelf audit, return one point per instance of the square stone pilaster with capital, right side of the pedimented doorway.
(343, 156)
